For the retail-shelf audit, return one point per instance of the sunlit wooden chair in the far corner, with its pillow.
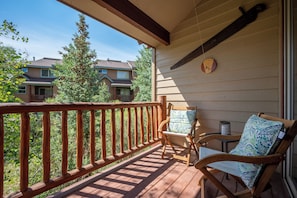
(181, 125)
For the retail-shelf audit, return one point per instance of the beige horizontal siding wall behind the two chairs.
(248, 76)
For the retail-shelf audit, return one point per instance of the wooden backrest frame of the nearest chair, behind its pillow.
(283, 145)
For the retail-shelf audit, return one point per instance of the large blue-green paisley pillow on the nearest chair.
(258, 137)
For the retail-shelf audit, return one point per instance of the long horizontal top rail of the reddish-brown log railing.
(6, 108)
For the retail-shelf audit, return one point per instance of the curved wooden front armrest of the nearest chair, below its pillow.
(268, 159)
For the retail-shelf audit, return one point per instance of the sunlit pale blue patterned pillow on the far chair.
(181, 121)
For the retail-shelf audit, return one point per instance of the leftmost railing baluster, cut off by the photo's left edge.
(1, 155)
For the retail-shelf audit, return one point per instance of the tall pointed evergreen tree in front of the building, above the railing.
(77, 80)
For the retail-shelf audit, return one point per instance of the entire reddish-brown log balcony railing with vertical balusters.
(131, 127)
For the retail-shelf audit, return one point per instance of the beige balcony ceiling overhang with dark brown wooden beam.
(148, 21)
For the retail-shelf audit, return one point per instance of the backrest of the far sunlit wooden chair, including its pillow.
(183, 119)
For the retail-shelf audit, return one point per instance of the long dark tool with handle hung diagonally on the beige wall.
(238, 24)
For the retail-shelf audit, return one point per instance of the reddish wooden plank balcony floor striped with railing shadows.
(147, 175)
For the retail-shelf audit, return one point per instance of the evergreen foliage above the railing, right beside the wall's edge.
(142, 85)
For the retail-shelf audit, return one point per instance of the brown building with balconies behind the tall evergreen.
(39, 85)
